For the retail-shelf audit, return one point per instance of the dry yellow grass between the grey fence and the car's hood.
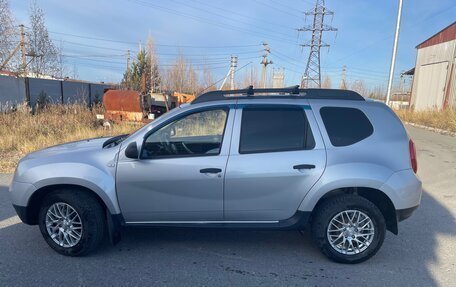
(21, 132)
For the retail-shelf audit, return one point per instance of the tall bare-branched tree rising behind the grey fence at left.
(40, 46)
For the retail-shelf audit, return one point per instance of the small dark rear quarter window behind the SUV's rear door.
(345, 126)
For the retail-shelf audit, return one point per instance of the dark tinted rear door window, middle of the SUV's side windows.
(273, 129)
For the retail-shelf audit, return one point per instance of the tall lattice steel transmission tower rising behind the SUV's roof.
(312, 75)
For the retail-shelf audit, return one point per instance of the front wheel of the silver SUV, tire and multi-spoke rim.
(90, 230)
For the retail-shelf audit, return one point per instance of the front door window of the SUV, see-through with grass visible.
(197, 134)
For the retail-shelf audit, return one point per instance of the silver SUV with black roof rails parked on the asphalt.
(252, 158)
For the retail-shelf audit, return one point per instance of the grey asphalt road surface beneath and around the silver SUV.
(424, 253)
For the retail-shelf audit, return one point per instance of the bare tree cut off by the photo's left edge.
(8, 36)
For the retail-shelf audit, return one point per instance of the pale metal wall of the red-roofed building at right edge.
(426, 92)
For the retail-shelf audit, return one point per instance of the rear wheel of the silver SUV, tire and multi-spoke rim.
(338, 208)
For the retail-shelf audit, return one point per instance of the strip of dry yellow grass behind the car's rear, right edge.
(445, 120)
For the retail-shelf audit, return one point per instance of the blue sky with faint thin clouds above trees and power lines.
(211, 31)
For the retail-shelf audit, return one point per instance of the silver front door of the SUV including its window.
(179, 176)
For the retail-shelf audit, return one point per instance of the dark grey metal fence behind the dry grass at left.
(14, 91)
